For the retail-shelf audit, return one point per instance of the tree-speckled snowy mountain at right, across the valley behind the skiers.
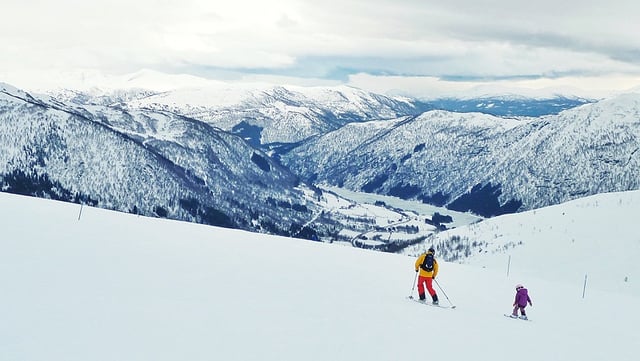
(482, 163)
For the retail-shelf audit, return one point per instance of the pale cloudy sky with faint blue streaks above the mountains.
(384, 45)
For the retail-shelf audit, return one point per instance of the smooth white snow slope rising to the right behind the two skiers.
(594, 236)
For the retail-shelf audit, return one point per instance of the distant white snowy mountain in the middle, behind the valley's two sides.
(262, 114)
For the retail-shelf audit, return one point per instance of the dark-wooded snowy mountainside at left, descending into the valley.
(145, 162)
